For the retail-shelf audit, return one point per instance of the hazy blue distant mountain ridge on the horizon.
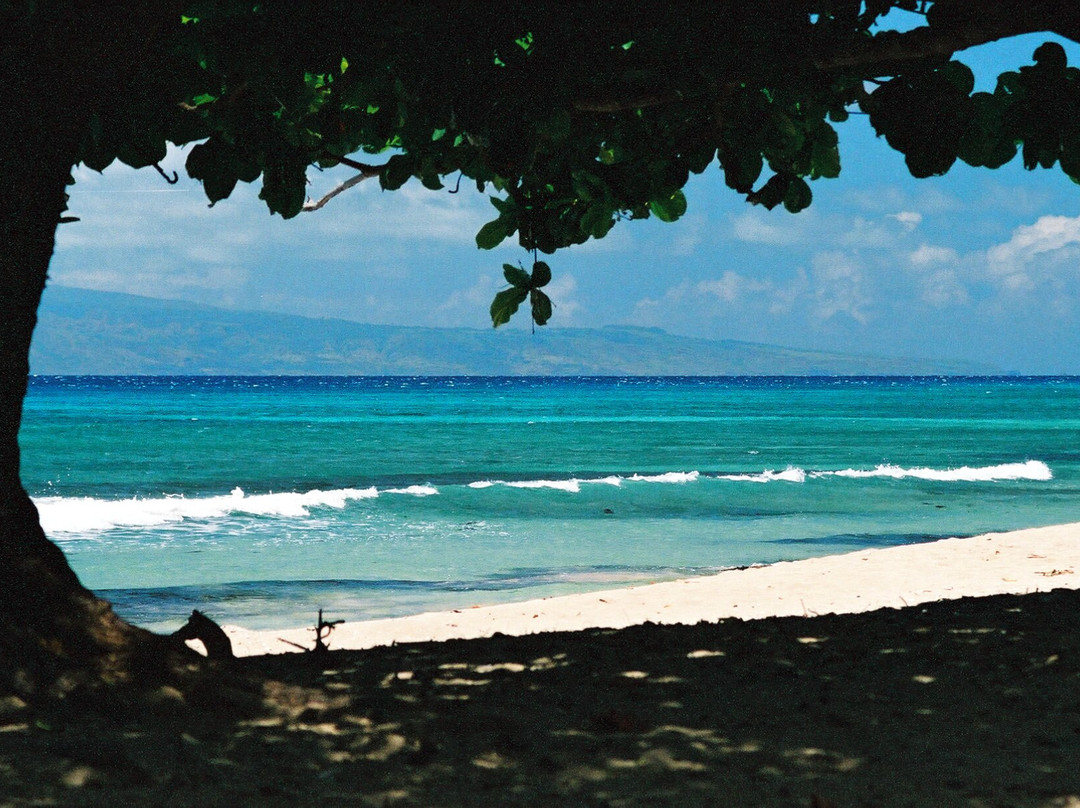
(85, 332)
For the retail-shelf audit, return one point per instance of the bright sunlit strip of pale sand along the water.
(1019, 562)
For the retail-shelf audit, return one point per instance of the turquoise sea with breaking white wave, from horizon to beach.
(261, 501)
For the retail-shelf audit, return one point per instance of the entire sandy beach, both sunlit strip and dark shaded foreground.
(913, 694)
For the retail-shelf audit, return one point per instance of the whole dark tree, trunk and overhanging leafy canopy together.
(572, 117)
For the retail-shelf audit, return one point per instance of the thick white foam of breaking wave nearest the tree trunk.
(82, 515)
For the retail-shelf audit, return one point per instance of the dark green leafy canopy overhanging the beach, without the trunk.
(574, 118)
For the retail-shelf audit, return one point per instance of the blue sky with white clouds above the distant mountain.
(978, 266)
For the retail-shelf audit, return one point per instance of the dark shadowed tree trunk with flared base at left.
(59, 64)
